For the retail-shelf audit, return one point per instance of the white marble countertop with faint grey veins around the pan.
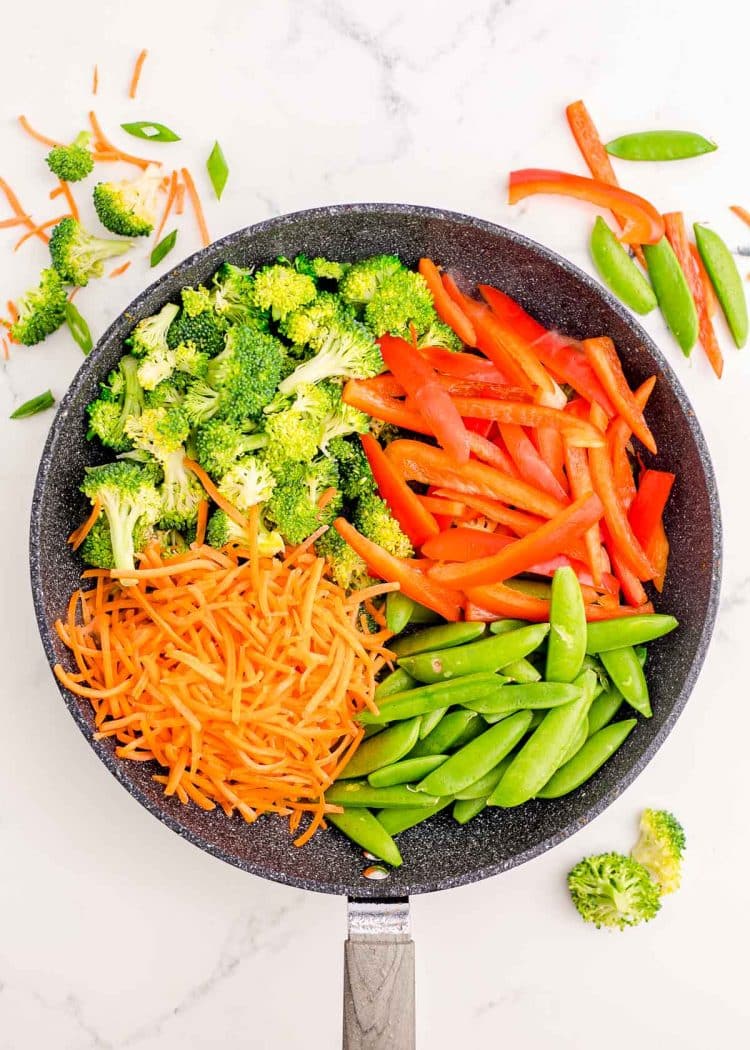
(116, 934)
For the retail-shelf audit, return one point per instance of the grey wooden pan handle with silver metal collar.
(379, 977)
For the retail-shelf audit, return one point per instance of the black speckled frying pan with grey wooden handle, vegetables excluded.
(440, 854)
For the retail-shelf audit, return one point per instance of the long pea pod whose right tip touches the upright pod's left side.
(485, 657)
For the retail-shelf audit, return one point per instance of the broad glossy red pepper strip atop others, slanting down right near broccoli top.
(420, 381)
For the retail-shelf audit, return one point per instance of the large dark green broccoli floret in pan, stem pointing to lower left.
(241, 382)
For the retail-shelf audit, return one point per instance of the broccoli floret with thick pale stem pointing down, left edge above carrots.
(131, 501)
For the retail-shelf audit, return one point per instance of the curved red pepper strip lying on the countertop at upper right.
(643, 224)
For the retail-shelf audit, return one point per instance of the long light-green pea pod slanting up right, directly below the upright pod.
(541, 754)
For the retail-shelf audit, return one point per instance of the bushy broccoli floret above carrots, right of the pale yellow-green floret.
(295, 503)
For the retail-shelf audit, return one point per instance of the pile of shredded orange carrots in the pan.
(240, 677)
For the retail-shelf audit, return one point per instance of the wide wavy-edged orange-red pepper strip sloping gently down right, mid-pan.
(418, 461)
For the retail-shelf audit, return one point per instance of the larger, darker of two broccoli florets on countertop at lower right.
(613, 890)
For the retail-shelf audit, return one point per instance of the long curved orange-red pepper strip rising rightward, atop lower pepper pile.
(548, 541)
